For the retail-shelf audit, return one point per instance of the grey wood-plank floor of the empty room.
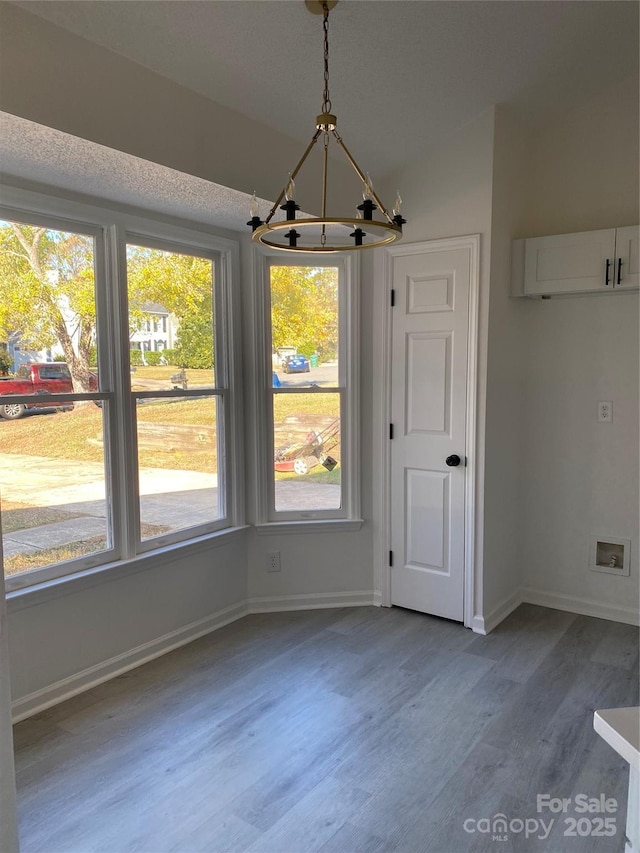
(354, 730)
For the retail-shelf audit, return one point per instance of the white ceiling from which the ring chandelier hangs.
(405, 74)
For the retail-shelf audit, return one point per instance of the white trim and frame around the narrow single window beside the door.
(348, 517)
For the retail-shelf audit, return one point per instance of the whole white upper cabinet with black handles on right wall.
(588, 262)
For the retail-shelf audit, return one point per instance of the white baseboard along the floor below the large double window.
(88, 678)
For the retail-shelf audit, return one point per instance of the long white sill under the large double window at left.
(39, 593)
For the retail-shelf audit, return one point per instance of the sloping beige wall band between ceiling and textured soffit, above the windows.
(60, 80)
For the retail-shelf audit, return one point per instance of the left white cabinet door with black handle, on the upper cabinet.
(570, 263)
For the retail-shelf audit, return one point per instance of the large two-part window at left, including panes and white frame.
(118, 427)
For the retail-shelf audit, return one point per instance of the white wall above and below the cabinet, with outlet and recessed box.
(581, 477)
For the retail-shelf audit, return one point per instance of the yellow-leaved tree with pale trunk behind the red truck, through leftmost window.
(47, 292)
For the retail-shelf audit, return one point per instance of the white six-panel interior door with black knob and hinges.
(430, 341)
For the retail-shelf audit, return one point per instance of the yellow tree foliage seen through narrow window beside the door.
(304, 309)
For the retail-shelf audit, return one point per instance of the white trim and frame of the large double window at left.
(112, 227)
